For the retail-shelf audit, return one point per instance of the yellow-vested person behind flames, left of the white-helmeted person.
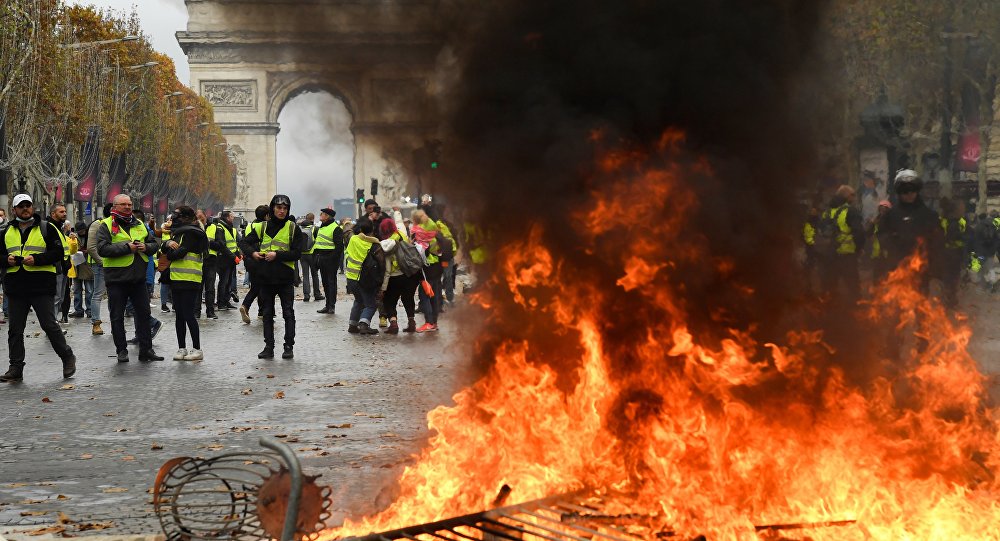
(849, 238)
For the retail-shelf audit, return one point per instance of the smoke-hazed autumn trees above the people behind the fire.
(935, 59)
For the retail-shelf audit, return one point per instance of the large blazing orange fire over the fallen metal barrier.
(707, 438)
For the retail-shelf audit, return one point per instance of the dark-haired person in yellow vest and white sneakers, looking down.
(186, 250)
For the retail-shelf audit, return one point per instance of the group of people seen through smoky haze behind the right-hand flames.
(956, 246)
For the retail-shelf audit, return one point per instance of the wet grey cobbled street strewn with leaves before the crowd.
(354, 409)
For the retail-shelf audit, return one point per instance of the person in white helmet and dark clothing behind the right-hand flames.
(910, 225)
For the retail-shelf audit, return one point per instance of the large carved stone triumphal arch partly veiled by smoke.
(250, 57)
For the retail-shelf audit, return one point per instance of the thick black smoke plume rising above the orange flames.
(536, 80)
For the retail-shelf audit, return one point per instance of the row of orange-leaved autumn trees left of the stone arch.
(68, 73)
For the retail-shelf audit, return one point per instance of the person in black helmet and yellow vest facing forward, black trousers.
(276, 248)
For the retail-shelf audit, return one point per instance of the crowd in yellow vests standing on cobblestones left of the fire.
(61, 271)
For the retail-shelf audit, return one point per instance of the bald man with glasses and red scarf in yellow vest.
(126, 246)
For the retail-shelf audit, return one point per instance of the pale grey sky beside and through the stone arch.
(315, 146)
